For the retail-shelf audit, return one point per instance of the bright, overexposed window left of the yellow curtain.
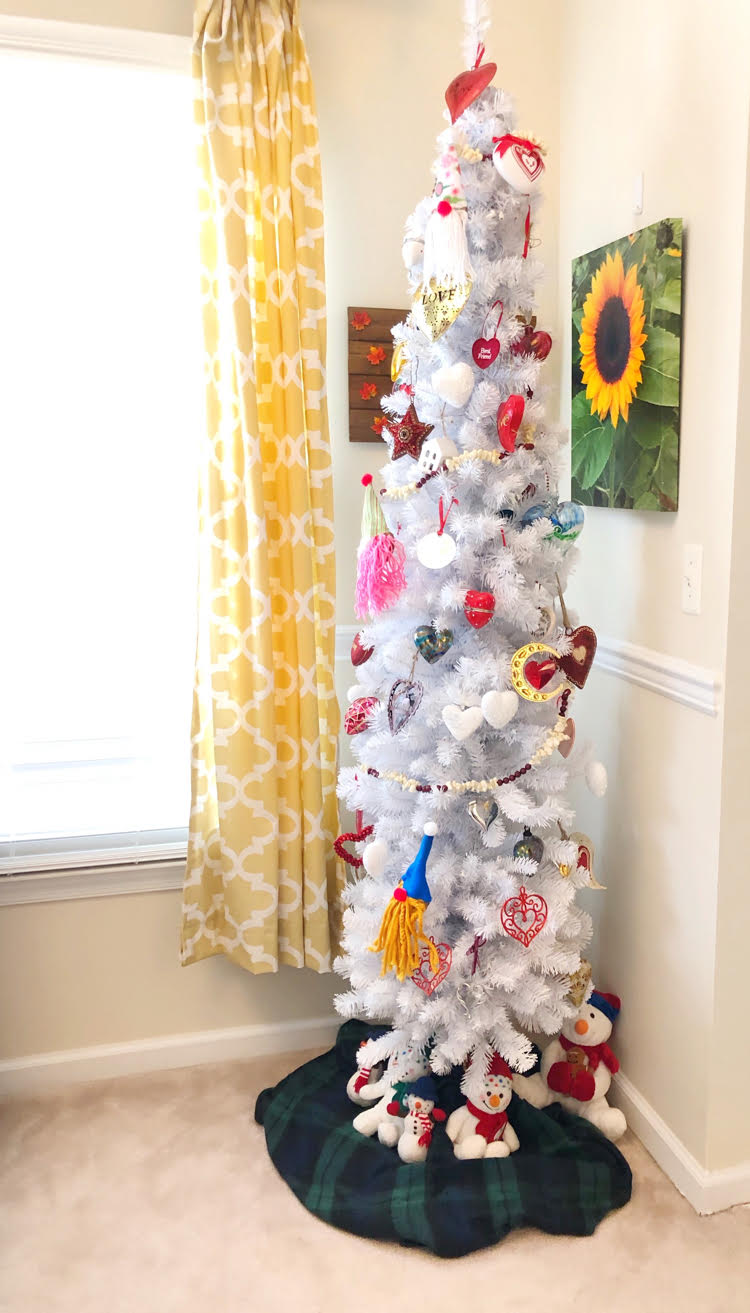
(100, 410)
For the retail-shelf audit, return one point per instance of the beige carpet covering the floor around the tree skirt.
(156, 1195)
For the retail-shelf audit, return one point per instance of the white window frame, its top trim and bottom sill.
(153, 51)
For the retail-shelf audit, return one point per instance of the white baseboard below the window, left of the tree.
(43, 1072)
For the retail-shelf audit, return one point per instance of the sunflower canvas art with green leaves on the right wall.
(627, 324)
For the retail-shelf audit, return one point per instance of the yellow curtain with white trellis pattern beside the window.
(263, 880)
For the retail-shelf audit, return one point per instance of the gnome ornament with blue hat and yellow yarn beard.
(401, 934)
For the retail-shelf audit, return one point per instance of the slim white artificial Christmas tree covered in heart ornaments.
(460, 729)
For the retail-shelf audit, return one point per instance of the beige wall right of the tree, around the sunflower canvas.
(664, 90)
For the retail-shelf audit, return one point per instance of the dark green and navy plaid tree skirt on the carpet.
(565, 1177)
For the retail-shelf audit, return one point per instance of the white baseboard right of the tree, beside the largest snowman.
(707, 1192)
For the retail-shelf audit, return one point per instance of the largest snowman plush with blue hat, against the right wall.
(579, 1067)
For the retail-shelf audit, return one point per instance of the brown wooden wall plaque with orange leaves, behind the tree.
(371, 350)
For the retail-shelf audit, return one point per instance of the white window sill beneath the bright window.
(91, 883)
